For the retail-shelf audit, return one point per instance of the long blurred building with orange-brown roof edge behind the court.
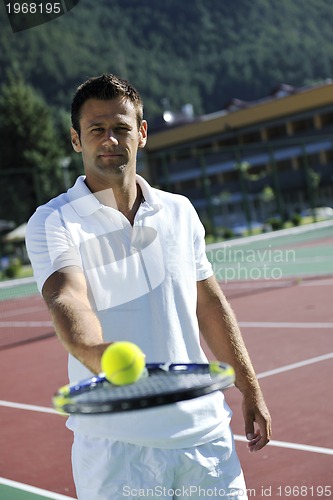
(252, 160)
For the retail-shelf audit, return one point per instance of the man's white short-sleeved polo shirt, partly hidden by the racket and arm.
(142, 285)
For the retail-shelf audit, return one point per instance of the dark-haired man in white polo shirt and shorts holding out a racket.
(114, 260)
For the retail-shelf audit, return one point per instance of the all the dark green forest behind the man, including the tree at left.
(202, 52)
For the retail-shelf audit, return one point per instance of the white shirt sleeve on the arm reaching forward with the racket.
(49, 245)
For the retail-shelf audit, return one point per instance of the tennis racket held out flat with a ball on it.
(161, 384)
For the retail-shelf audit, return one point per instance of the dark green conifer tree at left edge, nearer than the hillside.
(30, 155)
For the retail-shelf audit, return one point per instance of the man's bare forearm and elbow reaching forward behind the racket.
(76, 324)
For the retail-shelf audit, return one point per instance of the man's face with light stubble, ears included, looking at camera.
(109, 139)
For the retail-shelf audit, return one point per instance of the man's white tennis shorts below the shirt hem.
(108, 470)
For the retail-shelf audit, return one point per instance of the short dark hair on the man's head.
(104, 87)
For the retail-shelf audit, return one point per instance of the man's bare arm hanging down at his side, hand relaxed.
(218, 326)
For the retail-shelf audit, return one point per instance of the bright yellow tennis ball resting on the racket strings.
(123, 363)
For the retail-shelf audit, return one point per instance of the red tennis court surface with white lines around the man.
(288, 328)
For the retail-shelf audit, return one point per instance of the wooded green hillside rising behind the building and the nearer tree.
(200, 51)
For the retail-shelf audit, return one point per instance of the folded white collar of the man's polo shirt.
(85, 203)
